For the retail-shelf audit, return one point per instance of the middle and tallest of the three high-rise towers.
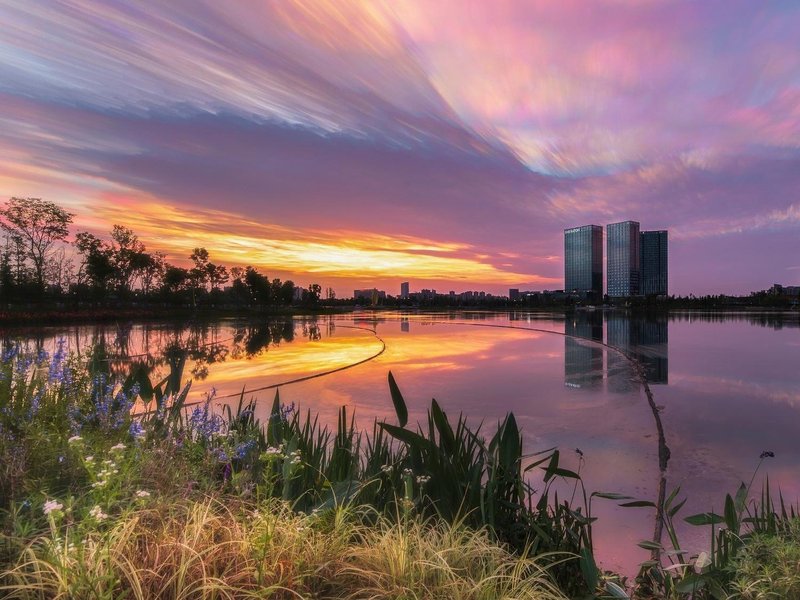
(623, 256)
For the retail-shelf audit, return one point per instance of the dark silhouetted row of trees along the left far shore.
(38, 266)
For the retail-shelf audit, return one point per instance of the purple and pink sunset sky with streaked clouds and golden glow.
(449, 143)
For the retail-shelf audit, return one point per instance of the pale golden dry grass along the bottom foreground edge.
(194, 550)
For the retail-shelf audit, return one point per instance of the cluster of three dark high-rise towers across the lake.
(636, 261)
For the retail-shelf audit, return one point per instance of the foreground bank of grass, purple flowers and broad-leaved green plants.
(193, 503)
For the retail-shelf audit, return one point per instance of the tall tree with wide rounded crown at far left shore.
(38, 225)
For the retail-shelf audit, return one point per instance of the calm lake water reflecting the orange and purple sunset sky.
(727, 388)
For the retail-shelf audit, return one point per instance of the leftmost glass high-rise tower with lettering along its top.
(583, 260)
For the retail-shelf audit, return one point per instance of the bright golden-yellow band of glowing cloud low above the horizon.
(232, 239)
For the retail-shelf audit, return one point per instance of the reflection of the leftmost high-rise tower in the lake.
(583, 362)
